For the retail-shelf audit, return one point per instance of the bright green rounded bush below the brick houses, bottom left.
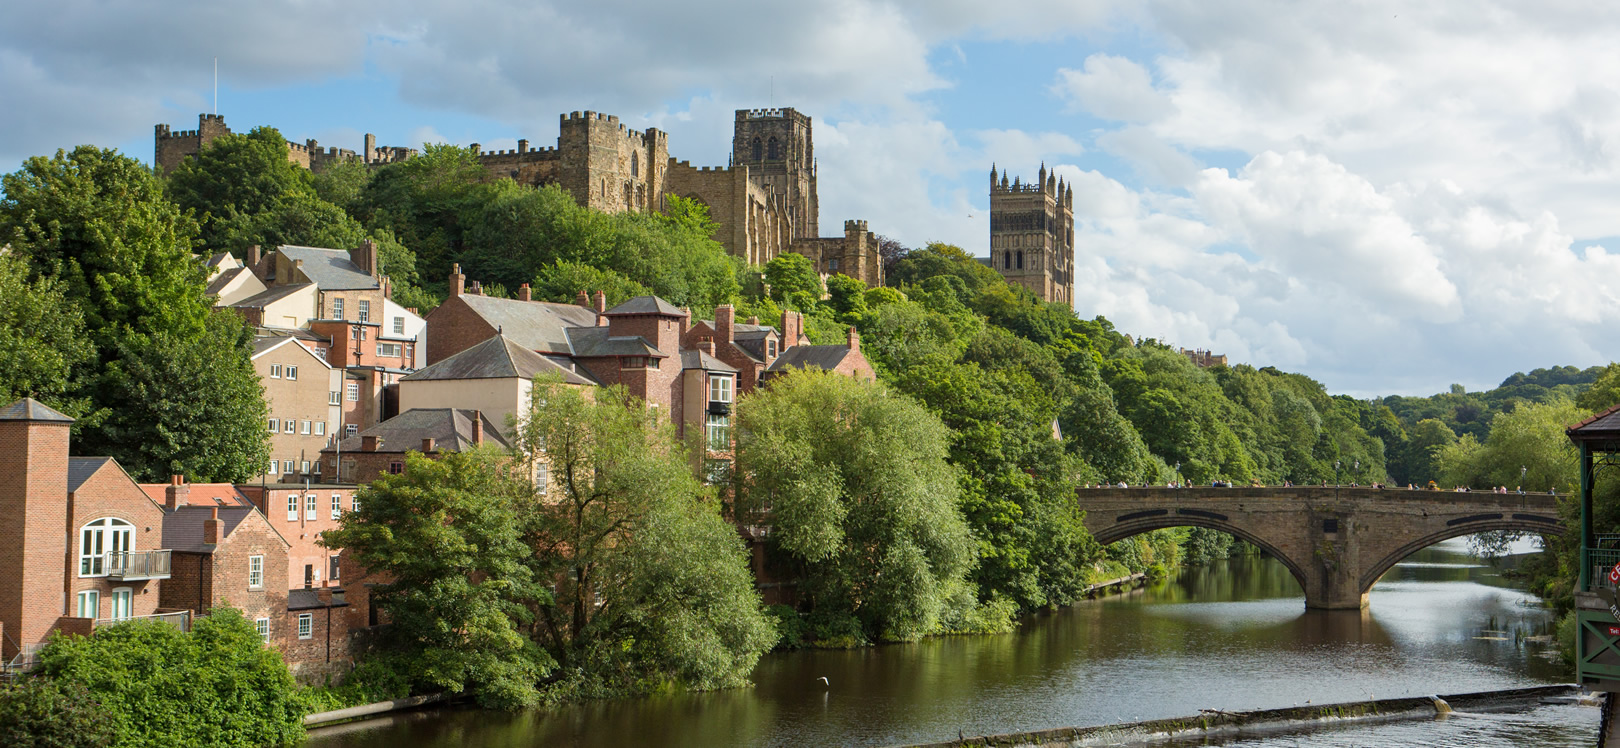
(160, 687)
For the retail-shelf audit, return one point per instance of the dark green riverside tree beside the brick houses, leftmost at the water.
(451, 538)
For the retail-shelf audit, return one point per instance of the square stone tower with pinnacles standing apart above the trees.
(1033, 234)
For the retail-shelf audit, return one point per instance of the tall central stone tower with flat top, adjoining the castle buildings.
(780, 153)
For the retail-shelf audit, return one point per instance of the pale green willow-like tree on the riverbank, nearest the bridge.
(861, 498)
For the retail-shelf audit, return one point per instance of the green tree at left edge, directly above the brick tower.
(41, 339)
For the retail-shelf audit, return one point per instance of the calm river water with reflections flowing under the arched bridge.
(1230, 635)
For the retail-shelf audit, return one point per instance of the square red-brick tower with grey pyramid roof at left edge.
(35, 511)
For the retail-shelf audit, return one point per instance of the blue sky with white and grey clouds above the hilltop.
(1388, 197)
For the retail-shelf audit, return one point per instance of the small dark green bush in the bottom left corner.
(41, 713)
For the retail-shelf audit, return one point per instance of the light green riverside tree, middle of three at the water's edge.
(652, 585)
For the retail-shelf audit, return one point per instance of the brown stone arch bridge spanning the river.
(1337, 542)
